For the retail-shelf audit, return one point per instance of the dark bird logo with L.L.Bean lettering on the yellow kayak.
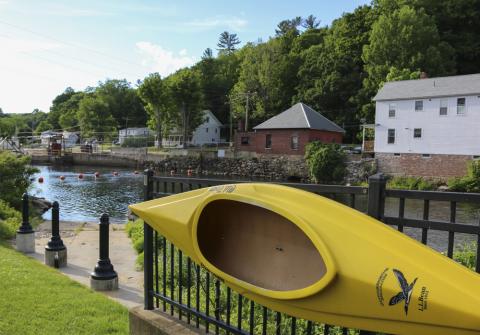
(406, 290)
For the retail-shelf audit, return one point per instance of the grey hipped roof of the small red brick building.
(300, 116)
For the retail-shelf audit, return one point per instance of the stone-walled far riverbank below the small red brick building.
(269, 167)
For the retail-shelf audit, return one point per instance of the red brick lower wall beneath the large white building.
(437, 166)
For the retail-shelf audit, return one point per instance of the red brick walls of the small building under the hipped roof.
(281, 140)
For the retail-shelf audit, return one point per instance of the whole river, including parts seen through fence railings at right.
(86, 199)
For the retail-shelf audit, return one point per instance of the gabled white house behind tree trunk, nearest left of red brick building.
(207, 133)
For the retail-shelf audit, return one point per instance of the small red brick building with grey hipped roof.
(289, 132)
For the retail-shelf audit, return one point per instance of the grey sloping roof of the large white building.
(430, 88)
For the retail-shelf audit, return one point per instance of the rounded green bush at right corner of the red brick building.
(325, 162)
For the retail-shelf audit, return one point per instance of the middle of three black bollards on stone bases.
(55, 250)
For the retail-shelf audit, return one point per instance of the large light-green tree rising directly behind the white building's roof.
(405, 39)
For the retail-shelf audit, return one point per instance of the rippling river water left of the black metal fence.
(86, 199)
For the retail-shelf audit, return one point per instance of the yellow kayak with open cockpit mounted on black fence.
(313, 258)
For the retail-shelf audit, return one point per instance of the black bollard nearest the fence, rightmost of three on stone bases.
(104, 277)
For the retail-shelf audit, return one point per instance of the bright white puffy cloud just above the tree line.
(161, 60)
